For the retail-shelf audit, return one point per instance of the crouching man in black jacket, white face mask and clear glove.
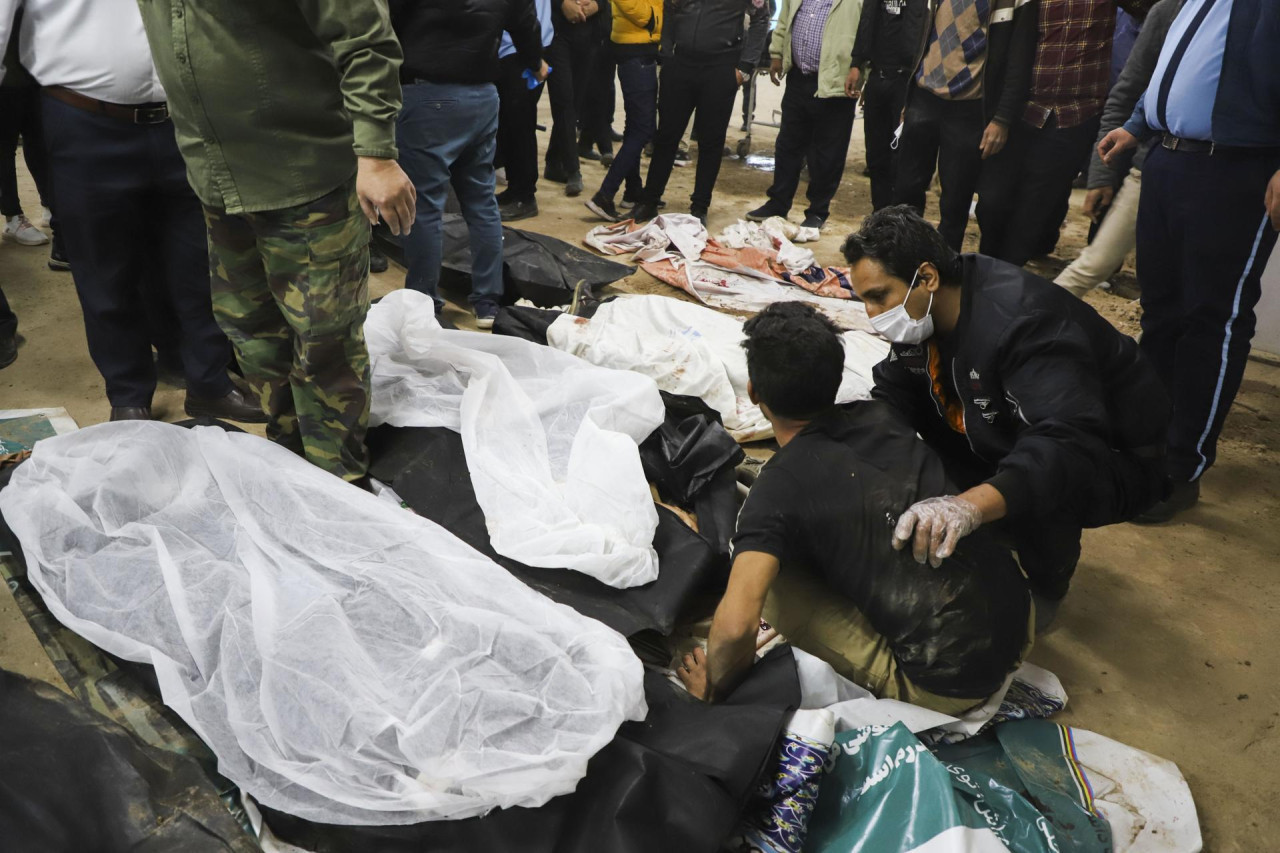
(1049, 418)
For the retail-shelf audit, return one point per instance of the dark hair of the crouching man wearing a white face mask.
(900, 241)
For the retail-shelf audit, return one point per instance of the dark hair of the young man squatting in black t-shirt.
(796, 359)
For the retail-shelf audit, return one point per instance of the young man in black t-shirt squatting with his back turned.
(815, 555)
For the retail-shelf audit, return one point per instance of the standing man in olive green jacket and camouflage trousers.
(286, 117)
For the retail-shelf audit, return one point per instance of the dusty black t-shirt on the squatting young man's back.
(829, 501)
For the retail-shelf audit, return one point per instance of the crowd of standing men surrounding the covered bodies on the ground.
(166, 158)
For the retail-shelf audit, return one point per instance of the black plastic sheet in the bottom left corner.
(74, 781)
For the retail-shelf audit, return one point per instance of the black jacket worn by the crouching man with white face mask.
(1050, 393)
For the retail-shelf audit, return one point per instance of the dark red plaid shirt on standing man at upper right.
(1073, 61)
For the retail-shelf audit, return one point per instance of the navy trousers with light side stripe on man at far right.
(1204, 240)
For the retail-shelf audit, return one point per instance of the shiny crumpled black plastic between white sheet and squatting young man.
(692, 459)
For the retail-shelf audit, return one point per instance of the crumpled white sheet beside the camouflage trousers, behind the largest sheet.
(552, 443)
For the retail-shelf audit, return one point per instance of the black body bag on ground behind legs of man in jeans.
(538, 268)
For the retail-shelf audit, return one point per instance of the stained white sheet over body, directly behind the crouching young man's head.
(693, 350)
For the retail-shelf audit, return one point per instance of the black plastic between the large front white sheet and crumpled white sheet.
(428, 469)
